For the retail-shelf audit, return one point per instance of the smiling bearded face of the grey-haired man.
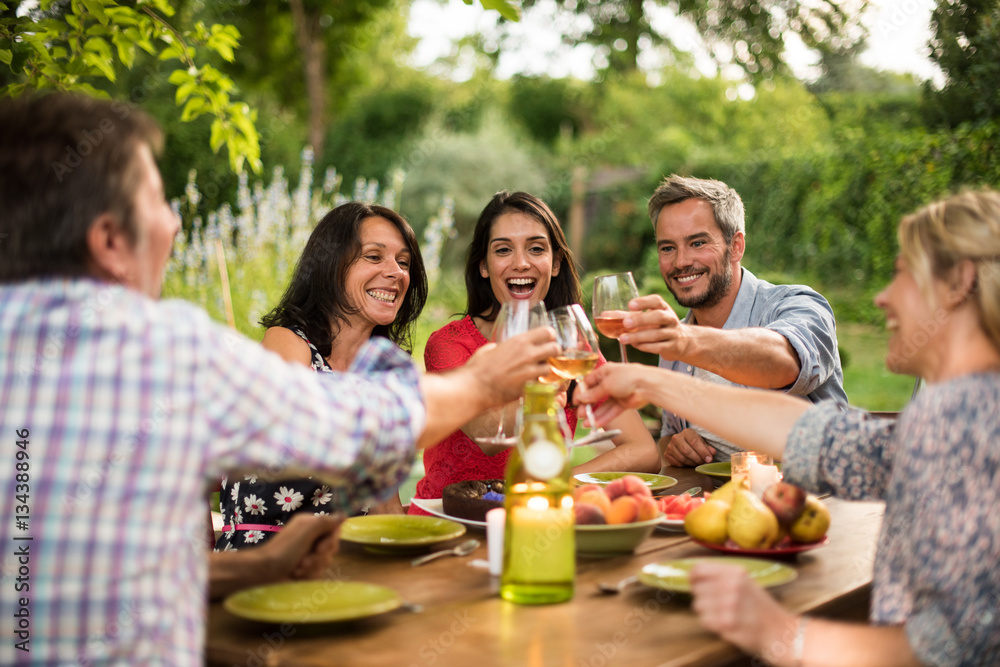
(696, 263)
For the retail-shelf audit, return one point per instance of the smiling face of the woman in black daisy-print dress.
(378, 279)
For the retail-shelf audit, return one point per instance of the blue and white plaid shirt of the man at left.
(132, 408)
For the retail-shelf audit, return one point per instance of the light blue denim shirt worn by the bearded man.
(798, 313)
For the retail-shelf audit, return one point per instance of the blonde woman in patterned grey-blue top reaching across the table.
(936, 583)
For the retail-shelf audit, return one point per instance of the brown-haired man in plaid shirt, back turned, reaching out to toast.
(117, 411)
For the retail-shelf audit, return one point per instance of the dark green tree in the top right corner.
(966, 46)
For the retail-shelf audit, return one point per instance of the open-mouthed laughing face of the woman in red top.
(519, 261)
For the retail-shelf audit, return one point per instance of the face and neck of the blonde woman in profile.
(912, 323)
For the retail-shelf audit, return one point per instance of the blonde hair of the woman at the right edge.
(936, 238)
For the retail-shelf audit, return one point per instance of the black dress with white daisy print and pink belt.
(253, 510)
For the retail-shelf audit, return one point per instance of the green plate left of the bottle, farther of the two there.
(399, 532)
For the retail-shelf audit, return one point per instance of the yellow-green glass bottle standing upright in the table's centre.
(539, 560)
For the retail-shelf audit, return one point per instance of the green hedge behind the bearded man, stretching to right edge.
(828, 219)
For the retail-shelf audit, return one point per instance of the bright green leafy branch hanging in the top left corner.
(72, 46)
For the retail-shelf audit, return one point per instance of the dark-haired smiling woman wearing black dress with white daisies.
(360, 275)
